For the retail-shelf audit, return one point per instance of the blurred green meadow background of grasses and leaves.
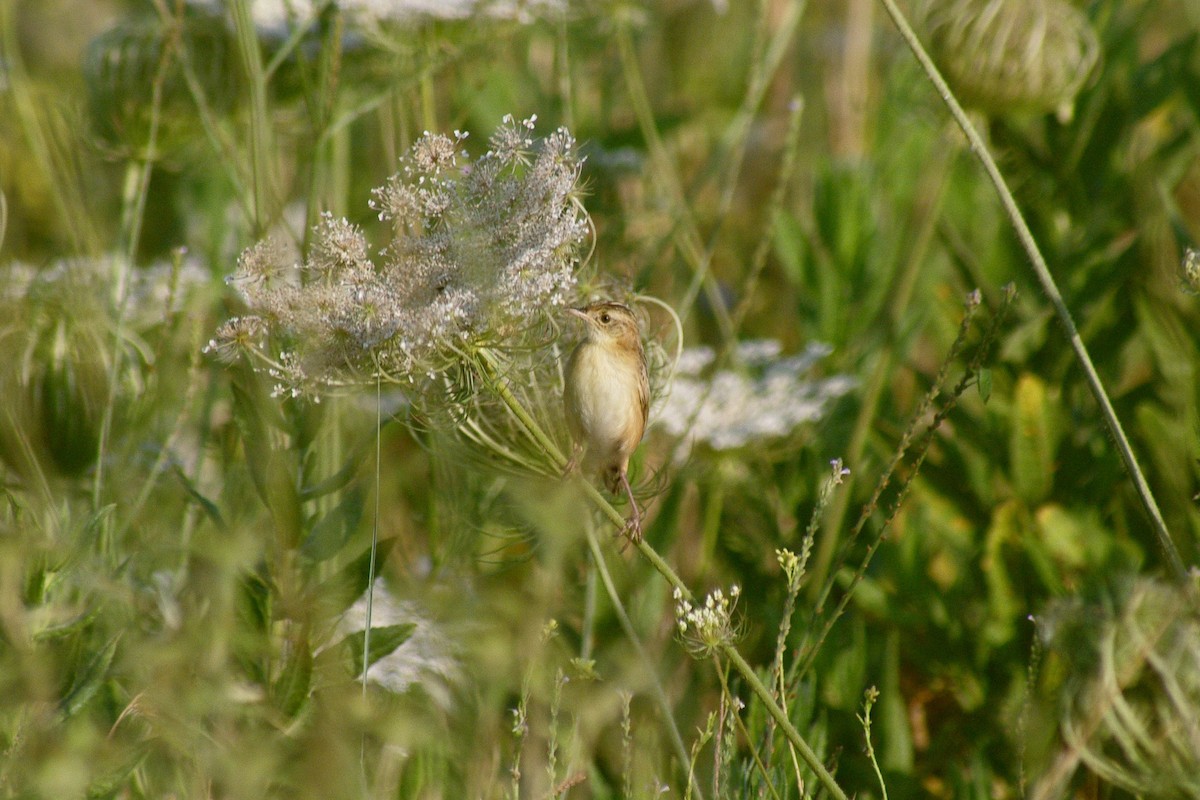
(177, 548)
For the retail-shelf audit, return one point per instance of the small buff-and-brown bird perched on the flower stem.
(608, 398)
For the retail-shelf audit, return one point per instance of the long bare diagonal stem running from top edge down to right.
(1049, 288)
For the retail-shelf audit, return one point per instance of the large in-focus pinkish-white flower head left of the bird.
(482, 254)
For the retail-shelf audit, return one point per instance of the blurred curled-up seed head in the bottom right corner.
(1130, 699)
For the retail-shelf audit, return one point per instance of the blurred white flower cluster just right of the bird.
(729, 410)
